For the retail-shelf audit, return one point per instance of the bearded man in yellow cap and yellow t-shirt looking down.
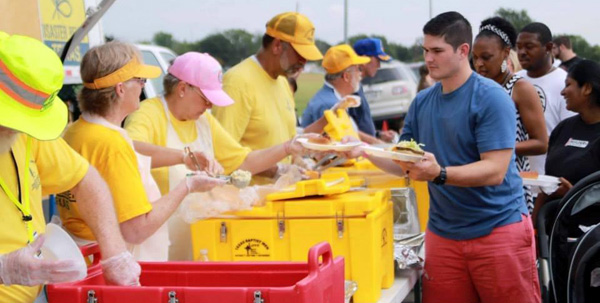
(263, 113)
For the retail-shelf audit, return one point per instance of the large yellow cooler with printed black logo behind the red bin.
(357, 224)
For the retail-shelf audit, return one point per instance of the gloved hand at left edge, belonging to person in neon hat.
(22, 267)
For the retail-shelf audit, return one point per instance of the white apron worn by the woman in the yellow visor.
(155, 247)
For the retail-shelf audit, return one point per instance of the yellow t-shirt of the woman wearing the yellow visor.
(116, 162)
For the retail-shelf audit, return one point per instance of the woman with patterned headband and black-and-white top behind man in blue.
(491, 51)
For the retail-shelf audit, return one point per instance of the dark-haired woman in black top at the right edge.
(574, 148)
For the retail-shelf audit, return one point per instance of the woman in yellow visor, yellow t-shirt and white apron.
(114, 75)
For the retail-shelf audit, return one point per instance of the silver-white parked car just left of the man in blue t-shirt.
(391, 91)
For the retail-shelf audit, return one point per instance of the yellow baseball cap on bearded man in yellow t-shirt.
(296, 29)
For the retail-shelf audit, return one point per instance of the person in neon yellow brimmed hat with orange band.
(35, 162)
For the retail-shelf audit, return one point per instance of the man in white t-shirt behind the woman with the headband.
(534, 48)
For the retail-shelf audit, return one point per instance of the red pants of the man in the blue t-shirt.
(499, 267)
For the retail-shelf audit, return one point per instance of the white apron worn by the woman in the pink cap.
(179, 231)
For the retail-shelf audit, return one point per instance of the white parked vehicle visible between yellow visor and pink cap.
(157, 56)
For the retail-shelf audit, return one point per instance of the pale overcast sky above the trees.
(400, 21)
